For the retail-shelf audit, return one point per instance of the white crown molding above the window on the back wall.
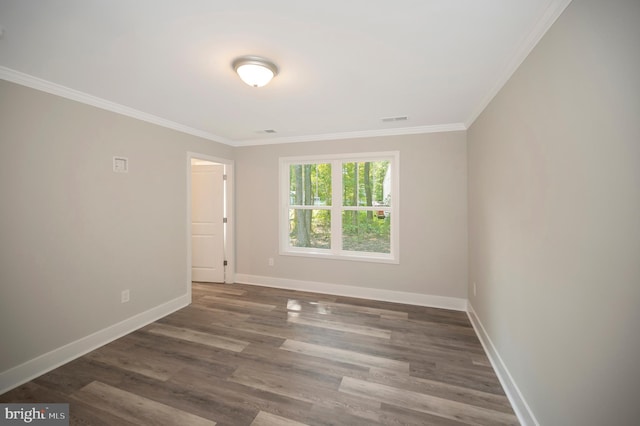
(439, 128)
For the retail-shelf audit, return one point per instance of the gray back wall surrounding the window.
(433, 216)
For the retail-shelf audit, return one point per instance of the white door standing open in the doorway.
(207, 227)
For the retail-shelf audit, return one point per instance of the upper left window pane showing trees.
(310, 184)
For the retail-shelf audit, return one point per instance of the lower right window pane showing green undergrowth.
(368, 231)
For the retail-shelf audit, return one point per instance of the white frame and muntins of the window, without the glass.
(336, 208)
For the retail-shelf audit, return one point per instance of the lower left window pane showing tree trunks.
(310, 228)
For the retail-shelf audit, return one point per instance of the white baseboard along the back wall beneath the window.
(454, 303)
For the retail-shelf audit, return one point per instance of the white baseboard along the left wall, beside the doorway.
(37, 366)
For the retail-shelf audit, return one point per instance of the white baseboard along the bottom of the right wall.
(520, 406)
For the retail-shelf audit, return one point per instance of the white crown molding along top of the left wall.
(75, 95)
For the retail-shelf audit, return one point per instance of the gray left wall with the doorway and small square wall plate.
(73, 233)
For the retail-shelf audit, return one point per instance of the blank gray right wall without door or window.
(554, 218)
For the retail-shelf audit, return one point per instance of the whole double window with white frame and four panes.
(342, 206)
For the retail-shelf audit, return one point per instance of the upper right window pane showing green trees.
(366, 183)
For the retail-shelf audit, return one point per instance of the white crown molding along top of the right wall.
(550, 15)
